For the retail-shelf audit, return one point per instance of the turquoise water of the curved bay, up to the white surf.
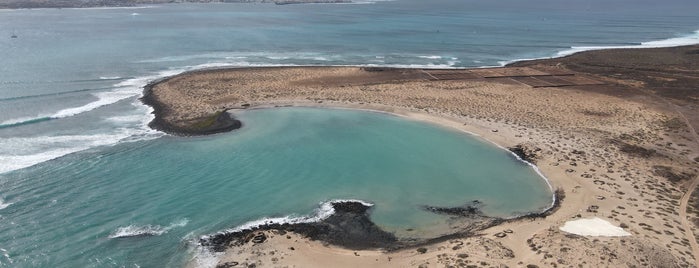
(97, 206)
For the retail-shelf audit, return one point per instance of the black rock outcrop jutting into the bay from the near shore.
(349, 227)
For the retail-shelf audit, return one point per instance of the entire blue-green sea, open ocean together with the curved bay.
(81, 174)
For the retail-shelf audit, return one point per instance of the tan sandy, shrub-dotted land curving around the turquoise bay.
(615, 130)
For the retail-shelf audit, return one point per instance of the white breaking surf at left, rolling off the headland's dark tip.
(22, 152)
